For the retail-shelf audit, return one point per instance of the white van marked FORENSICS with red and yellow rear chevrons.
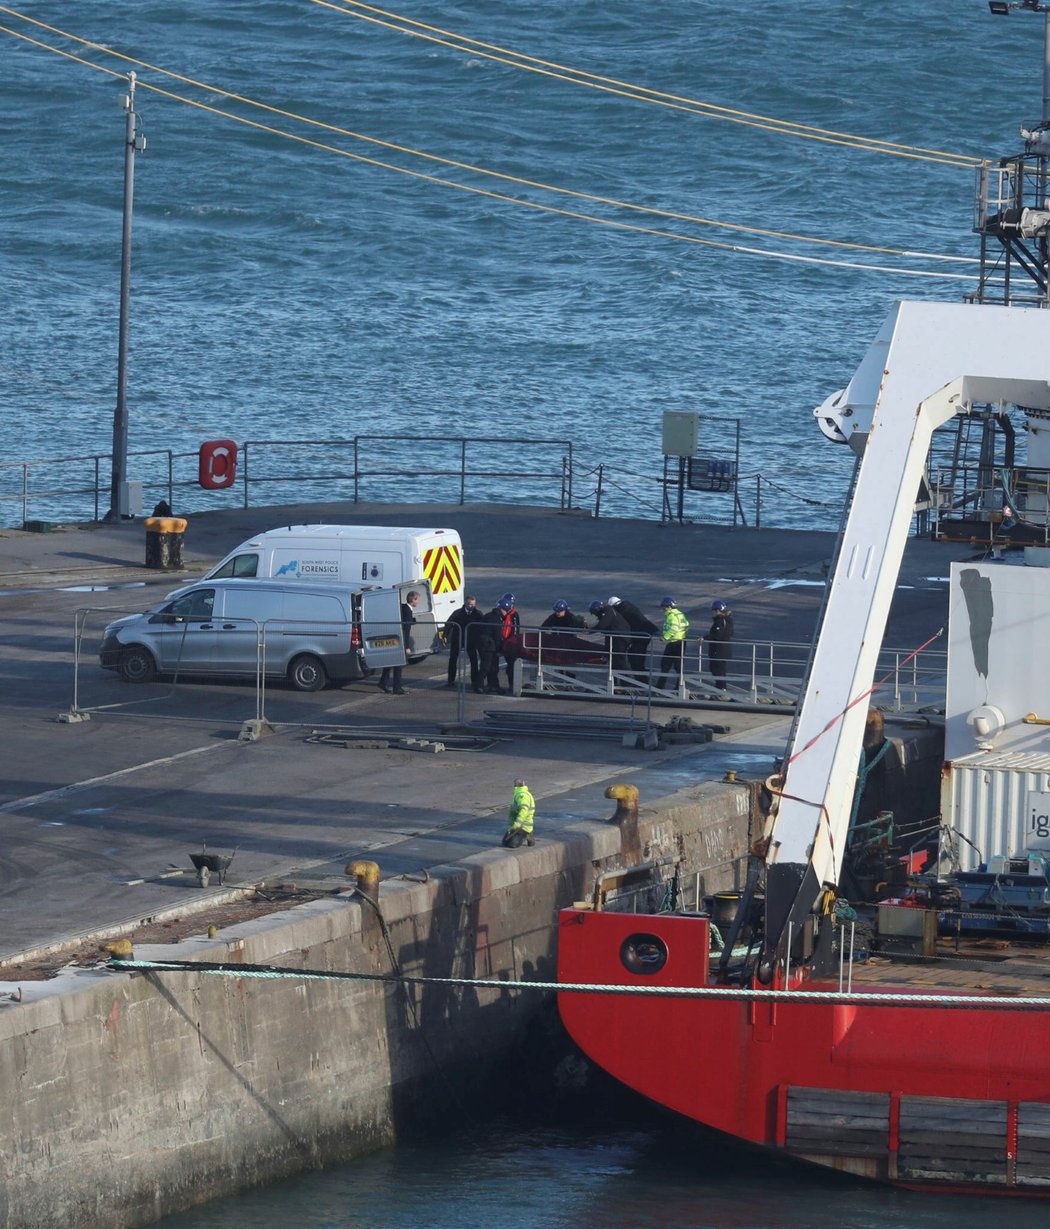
(355, 556)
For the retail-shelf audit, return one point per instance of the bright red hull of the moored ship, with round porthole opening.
(925, 1096)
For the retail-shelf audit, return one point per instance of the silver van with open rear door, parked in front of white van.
(309, 635)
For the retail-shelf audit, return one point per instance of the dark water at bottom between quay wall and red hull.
(645, 1173)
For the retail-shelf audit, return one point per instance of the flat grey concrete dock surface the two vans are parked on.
(100, 817)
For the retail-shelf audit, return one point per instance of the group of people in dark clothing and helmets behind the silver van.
(629, 632)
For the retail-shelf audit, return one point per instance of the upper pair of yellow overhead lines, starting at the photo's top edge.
(644, 94)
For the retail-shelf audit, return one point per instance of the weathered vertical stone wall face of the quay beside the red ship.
(135, 1096)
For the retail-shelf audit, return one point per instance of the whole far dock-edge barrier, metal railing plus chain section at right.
(416, 469)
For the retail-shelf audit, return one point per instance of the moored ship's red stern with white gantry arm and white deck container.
(929, 1064)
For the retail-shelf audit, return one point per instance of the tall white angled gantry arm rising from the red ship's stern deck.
(929, 363)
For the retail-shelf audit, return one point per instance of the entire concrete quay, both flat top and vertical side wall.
(135, 1096)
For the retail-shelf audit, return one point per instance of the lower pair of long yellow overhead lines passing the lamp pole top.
(484, 192)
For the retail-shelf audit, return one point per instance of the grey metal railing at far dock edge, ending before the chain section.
(414, 469)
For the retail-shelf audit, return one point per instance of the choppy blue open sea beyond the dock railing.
(285, 292)
